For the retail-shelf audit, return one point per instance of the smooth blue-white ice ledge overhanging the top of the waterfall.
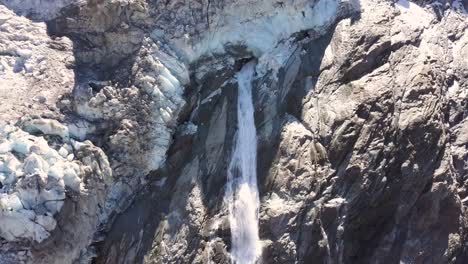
(257, 25)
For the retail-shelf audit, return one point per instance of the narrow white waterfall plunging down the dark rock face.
(242, 191)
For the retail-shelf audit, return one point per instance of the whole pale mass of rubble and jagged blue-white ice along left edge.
(50, 181)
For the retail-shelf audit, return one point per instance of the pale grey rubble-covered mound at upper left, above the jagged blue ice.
(35, 69)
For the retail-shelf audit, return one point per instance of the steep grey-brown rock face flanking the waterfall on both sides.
(361, 157)
